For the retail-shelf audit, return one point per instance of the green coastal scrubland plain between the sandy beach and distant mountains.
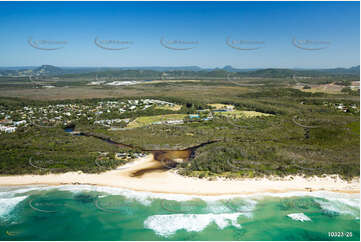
(275, 128)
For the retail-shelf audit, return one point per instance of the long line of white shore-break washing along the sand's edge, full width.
(328, 201)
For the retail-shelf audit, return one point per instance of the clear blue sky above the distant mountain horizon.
(208, 23)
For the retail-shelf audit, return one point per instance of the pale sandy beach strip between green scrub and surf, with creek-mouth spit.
(168, 182)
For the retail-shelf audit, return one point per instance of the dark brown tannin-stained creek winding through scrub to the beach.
(166, 159)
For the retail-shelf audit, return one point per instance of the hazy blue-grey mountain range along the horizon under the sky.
(49, 70)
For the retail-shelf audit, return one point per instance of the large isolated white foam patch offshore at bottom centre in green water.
(166, 225)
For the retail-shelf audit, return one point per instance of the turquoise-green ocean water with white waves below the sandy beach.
(100, 213)
